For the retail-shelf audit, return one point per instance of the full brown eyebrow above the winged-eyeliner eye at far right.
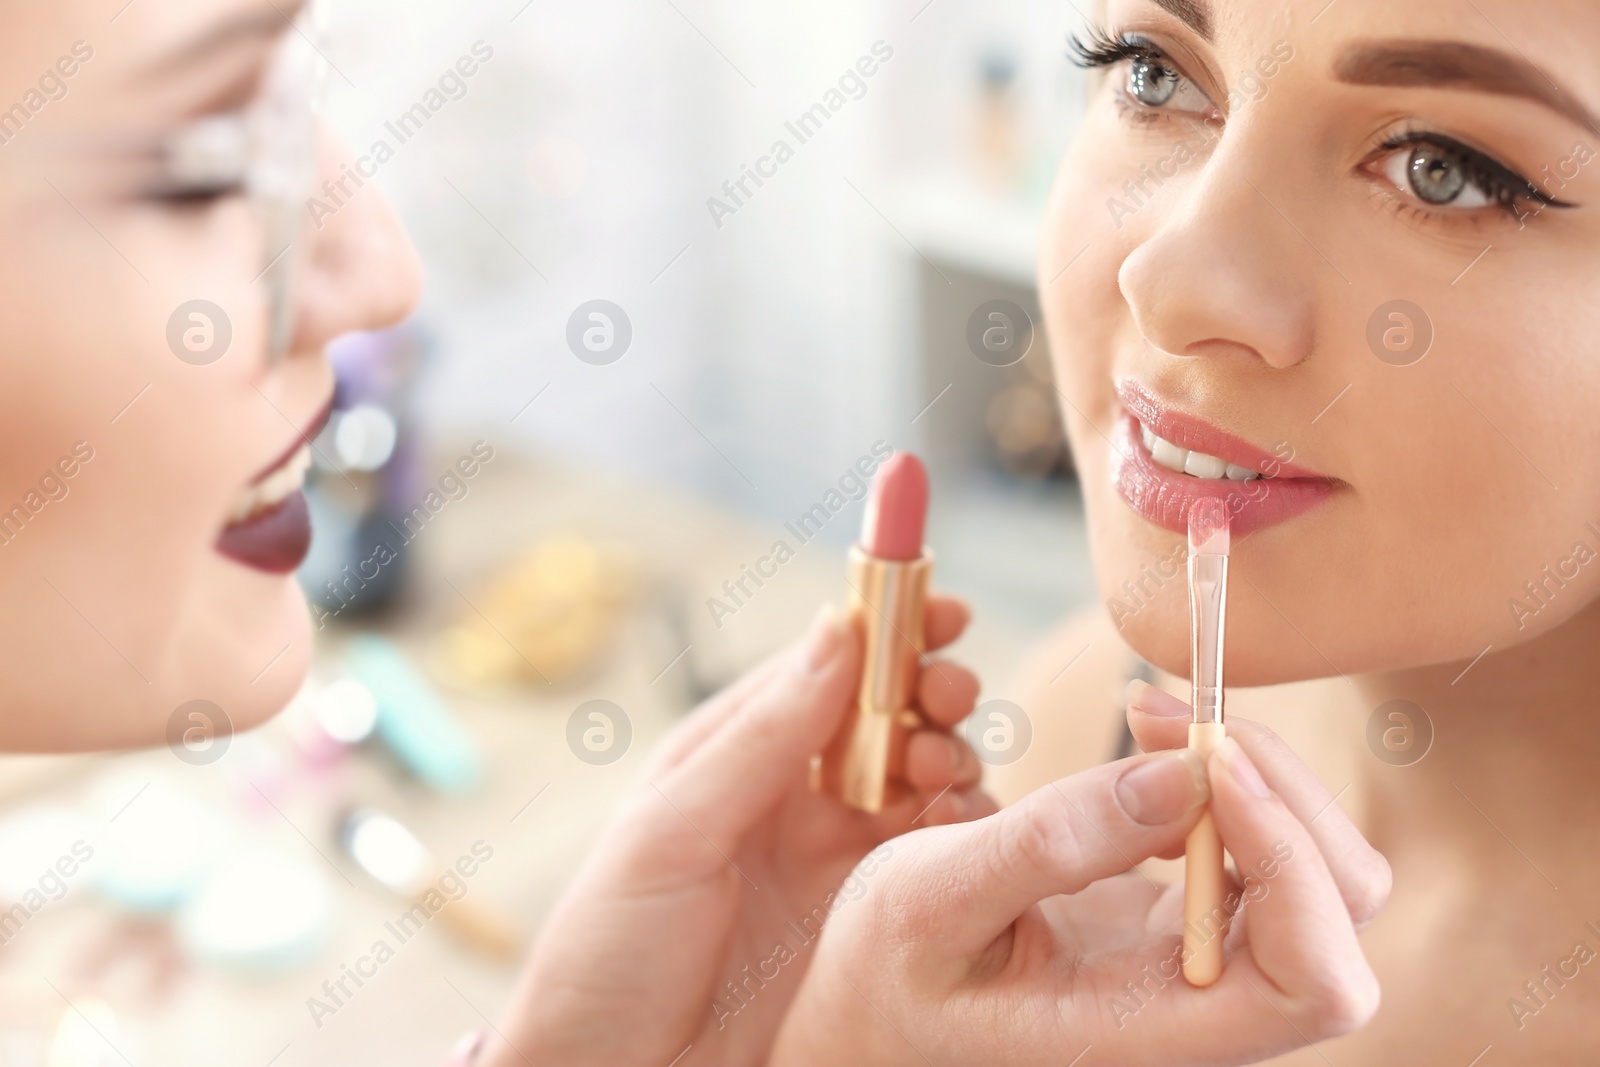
(1457, 65)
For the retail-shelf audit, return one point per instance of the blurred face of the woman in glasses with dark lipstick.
(148, 519)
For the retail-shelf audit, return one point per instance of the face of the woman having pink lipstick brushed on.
(1354, 246)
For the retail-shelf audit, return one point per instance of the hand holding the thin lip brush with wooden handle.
(1025, 938)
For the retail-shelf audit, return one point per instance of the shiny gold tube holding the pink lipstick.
(865, 764)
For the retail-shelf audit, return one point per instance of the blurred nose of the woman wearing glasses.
(361, 271)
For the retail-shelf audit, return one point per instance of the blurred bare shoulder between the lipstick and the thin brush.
(1071, 689)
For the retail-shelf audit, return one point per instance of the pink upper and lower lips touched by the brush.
(1166, 497)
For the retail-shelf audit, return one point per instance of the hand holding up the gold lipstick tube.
(724, 855)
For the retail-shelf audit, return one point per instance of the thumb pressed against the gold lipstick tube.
(734, 778)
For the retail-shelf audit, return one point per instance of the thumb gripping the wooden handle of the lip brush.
(980, 877)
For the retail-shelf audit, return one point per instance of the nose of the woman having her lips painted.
(1225, 271)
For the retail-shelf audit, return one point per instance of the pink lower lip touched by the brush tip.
(1166, 497)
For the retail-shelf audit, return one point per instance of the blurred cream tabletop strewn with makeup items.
(97, 983)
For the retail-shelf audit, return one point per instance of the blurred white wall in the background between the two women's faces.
(767, 353)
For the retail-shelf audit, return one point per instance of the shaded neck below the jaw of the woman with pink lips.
(1516, 743)
